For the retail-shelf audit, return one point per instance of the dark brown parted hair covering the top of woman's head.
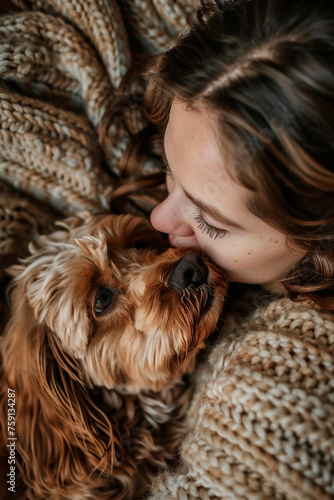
(265, 70)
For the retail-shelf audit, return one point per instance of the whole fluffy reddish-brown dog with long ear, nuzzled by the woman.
(94, 307)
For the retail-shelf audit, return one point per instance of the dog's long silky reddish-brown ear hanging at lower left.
(62, 435)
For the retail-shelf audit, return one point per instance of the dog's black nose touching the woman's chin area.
(190, 272)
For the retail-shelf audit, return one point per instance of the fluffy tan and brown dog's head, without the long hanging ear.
(129, 315)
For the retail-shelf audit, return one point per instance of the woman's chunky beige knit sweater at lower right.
(262, 419)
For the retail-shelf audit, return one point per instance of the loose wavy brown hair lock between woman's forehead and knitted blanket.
(137, 191)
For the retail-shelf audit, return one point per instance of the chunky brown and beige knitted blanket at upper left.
(62, 63)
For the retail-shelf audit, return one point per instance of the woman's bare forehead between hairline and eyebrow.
(198, 164)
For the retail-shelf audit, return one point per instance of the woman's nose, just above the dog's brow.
(169, 217)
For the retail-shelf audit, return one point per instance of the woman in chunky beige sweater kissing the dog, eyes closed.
(245, 98)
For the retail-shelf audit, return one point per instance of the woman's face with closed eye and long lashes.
(206, 208)
